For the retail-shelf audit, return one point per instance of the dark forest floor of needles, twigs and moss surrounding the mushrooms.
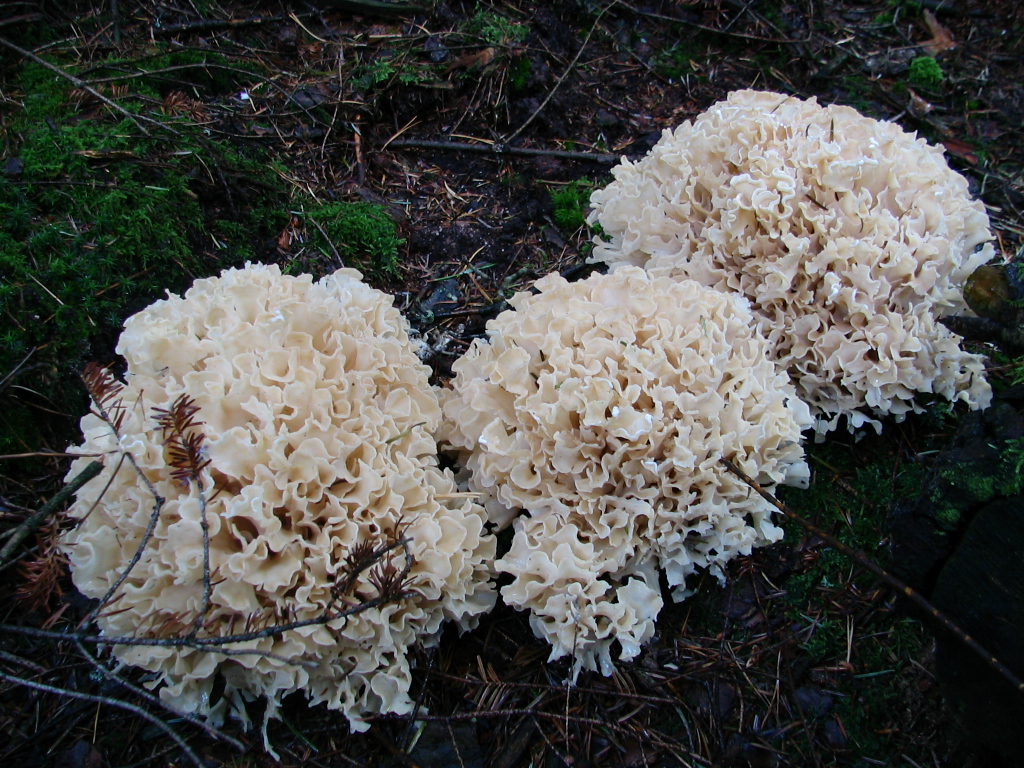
(481, 130)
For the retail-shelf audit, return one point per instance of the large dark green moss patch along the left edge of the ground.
(101, 222)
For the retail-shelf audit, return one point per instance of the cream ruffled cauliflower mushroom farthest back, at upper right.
(849, 236)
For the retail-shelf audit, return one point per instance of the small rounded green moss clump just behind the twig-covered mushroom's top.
(364, 235)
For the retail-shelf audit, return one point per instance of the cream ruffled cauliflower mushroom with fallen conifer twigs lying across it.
(318, 420)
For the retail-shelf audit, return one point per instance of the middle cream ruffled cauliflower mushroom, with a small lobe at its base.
(602, 409)
